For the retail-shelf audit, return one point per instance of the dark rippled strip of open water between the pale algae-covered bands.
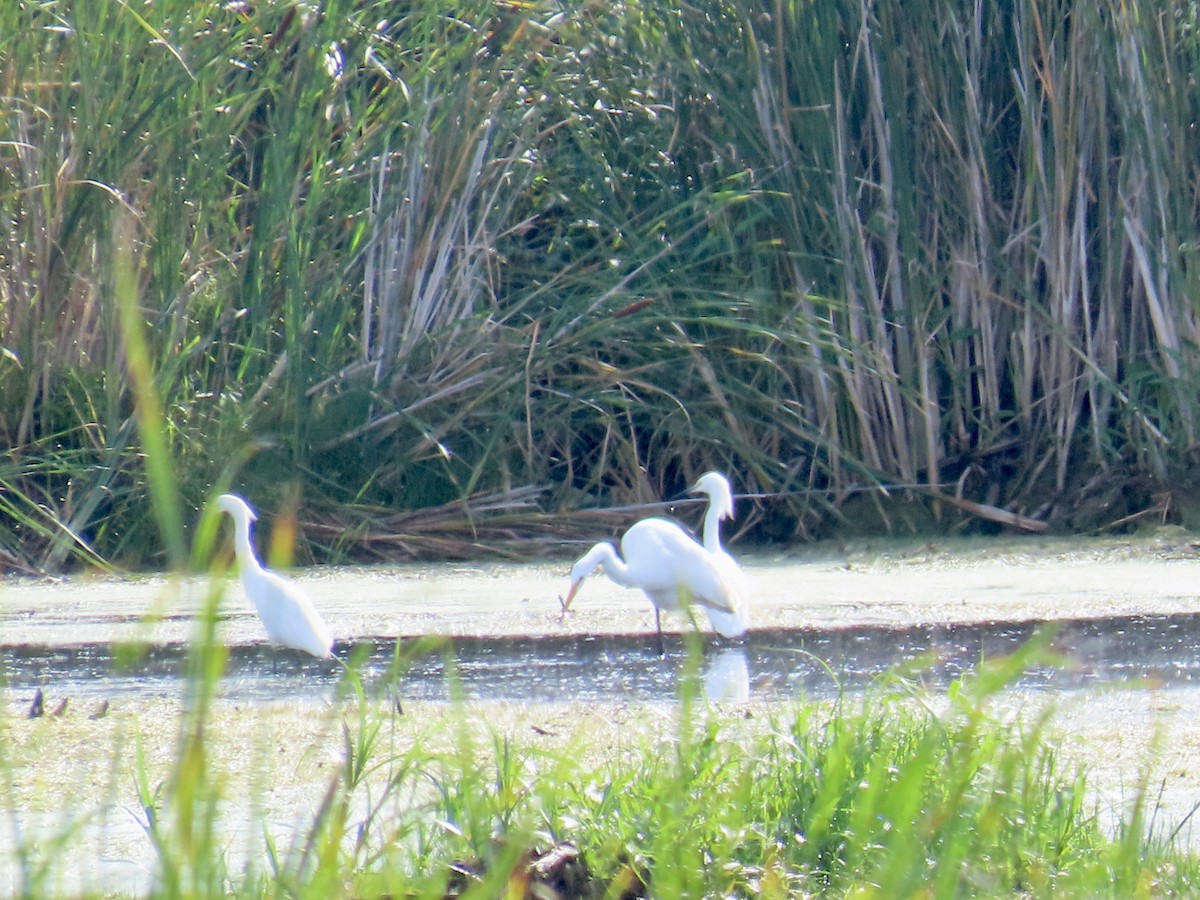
(1150, 651)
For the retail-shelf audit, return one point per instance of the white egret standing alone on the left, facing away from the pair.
(287, 614)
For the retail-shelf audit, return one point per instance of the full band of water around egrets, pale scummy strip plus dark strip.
(826, 621)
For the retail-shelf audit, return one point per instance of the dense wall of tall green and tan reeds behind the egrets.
(505, 261)
